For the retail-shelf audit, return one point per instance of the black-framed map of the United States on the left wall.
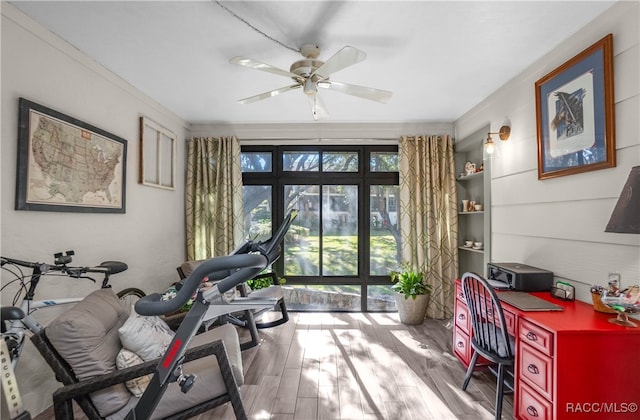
(67, 165)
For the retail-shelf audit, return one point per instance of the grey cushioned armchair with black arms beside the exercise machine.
(82, 346)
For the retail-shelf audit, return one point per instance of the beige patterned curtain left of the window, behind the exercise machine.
(213, 197)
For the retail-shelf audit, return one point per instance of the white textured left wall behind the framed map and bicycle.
(149, 237)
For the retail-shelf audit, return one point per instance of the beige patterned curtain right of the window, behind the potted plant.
(428, 215)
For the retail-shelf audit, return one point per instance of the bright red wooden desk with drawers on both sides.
(573, 364)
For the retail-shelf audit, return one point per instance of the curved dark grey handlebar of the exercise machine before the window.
(230, 270)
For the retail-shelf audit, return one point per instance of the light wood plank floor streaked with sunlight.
(358, 366)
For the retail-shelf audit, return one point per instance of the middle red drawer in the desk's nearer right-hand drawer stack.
(536, 369)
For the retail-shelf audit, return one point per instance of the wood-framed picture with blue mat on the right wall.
(575, 114)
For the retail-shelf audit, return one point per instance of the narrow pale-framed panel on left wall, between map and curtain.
(157, 155)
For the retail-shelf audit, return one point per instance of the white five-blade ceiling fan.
(311, 74)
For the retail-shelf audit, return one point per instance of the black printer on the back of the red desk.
(517, 276)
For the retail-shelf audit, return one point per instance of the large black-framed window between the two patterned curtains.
(345, 240)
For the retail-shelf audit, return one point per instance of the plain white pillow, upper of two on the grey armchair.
(147, 336)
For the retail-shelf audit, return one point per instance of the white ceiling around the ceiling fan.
(438, 58)
